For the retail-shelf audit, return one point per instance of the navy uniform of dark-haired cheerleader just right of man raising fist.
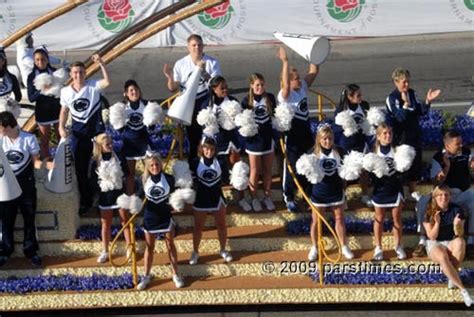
(135, 133)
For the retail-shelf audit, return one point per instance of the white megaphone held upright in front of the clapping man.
(181, 109)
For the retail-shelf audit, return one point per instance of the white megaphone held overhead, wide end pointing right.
(312, 48)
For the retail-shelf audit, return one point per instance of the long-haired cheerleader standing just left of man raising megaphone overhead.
(260, 147)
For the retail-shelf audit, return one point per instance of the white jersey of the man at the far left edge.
(19, 152)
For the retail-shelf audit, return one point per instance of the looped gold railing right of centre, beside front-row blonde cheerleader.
(320, 221)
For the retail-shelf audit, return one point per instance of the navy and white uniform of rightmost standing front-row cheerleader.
(388, 190)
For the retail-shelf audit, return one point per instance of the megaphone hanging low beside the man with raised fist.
(59, 178)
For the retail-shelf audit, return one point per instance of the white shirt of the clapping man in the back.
(184, 67)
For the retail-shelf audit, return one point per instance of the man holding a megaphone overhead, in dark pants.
(299, 139)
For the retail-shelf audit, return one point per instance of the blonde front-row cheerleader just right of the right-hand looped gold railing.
(329, 192)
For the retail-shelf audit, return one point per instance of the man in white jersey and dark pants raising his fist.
(82, 98)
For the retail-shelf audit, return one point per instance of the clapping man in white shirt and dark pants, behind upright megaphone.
(179, 76)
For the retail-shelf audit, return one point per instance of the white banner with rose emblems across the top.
(240, 21)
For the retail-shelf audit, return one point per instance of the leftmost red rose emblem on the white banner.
(115, 15)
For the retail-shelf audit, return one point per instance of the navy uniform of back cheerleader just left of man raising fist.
(47, 108)
